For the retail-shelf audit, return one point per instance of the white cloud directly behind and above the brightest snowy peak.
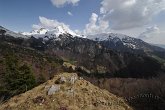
(48, 23)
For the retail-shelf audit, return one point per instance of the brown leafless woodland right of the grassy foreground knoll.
(140, 93)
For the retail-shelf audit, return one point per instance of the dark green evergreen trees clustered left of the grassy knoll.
(18, 78)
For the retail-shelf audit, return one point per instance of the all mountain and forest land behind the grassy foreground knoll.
(123, 73)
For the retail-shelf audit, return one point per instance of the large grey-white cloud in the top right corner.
(125, 14)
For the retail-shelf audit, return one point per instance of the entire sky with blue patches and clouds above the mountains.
(144, 19)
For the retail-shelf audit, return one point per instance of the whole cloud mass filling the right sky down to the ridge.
(130, 17)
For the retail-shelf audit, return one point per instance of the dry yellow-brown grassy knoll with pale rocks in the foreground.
(66, 91)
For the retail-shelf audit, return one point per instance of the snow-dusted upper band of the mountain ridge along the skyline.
(46, 34)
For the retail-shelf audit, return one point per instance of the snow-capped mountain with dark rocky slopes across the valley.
(112, 51)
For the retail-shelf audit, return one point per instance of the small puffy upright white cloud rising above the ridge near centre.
(96, 25)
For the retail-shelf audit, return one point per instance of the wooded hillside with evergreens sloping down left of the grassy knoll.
(23, 68)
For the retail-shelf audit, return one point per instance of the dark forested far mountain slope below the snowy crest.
(108, 58)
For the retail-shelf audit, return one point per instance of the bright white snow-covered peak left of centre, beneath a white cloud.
(51, 33)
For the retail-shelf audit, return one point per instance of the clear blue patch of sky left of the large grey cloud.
(19, 15)
